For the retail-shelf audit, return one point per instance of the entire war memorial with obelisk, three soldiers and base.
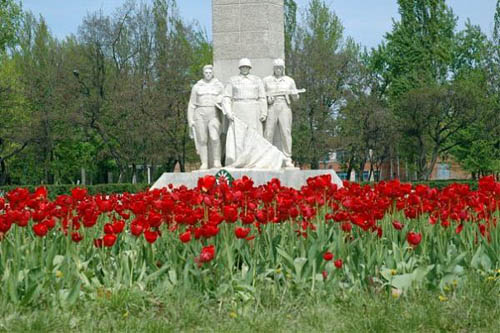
(246, 96)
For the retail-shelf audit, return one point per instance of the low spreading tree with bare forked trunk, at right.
(433, 118)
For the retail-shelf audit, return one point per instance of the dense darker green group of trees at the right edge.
(440, 86)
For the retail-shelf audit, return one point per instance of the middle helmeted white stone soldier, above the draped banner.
(245, 97)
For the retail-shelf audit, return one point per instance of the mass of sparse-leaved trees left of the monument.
(109, 100)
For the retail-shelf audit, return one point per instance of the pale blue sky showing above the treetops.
(366, 21)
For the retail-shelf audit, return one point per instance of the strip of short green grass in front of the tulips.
(473, 307)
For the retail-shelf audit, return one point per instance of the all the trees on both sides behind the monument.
(112, 98)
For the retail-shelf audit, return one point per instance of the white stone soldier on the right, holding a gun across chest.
(280, 89)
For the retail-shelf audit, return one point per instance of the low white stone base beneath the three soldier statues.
(294, 178)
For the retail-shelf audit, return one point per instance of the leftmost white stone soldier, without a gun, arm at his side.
(204, 118)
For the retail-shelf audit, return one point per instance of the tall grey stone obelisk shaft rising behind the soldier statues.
(251, 29)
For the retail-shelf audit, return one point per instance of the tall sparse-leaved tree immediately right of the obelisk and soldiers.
(322, 60)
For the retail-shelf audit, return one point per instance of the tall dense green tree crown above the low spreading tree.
(419, 49)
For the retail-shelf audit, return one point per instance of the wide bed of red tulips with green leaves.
(219, 237)
